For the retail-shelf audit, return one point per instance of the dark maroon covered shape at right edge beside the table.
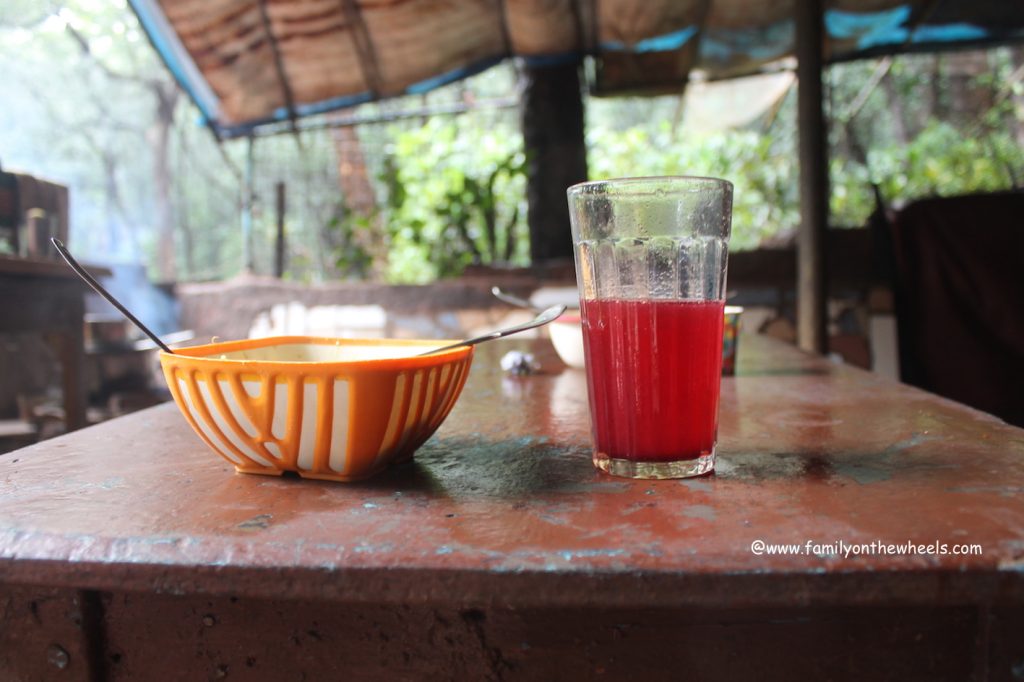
(960, 300)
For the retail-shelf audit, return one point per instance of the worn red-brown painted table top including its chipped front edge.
(504, 506)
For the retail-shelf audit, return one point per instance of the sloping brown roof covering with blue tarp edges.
(248, 63)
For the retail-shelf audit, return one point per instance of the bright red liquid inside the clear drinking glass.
(654, 371)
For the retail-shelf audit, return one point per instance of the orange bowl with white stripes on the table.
(332, 409)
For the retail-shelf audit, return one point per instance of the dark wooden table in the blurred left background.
(47, 296)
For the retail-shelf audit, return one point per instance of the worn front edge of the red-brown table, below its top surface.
(587, 588)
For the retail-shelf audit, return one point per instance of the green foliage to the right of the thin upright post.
(922, 142)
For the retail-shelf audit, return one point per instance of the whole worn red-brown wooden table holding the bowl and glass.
(129, 551)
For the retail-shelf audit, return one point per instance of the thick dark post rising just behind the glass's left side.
(557, 156)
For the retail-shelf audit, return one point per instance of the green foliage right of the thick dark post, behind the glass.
(915, 148)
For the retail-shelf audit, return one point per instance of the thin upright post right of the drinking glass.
(812, 290)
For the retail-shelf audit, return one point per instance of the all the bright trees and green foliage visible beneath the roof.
(452, 190)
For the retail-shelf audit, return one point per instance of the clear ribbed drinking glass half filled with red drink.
(651, 258)
